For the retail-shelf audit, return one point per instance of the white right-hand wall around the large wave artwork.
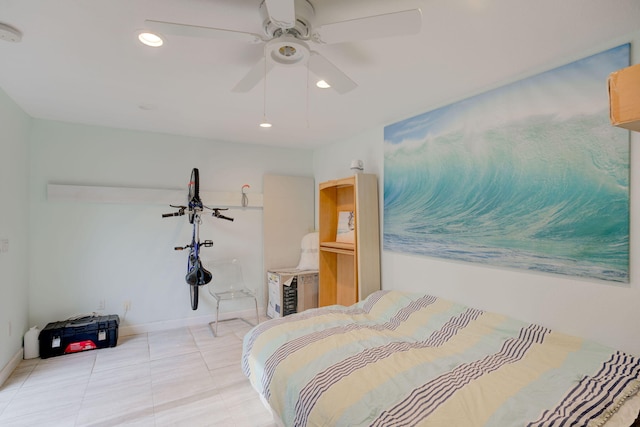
(601, 311)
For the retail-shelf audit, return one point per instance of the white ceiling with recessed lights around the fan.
(79, 61)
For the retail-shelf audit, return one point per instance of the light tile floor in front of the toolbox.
(179, 377)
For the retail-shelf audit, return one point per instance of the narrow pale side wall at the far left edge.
(14, 204)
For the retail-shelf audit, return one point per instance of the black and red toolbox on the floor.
(80, 334)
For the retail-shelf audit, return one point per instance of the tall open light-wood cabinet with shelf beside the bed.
(349, 271)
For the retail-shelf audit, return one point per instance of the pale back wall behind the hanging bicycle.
(82, 252)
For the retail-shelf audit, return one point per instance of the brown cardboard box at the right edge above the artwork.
(624, 98)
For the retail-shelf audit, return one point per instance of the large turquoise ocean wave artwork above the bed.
(541, 186)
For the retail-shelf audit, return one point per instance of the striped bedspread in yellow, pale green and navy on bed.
(399, 359)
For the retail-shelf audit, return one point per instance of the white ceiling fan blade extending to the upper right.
(404, 23)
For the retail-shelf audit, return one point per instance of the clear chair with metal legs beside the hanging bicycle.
(227, 284)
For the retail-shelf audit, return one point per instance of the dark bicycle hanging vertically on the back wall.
(196, 275)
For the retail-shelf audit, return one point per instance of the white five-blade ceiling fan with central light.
(289, 28)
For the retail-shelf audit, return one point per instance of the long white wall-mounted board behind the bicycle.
(127, 195)
